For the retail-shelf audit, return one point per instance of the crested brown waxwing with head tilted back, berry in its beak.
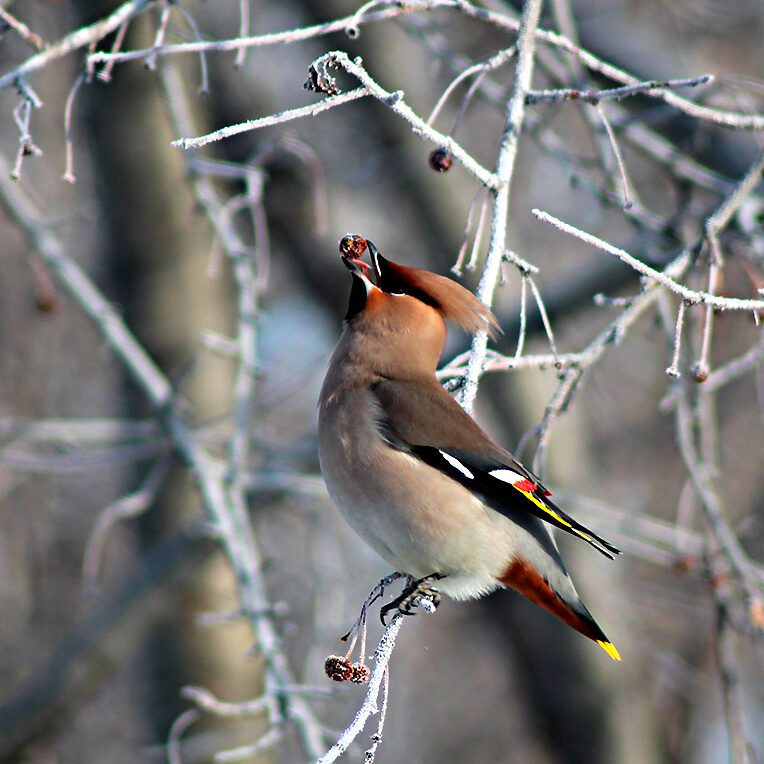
(410, 470)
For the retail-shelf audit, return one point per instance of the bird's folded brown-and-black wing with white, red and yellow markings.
(421, 418)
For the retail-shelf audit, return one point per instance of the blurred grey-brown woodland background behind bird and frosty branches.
(103, 620)
